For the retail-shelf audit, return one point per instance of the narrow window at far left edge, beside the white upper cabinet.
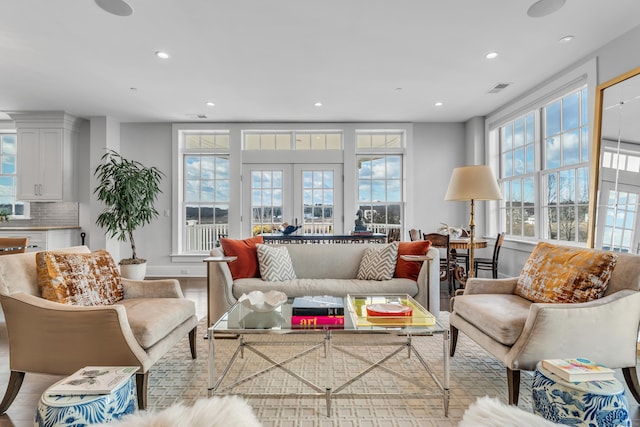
(8, 177)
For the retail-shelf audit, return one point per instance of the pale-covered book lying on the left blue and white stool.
(93, 380)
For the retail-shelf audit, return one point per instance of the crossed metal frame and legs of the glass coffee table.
(228, 328)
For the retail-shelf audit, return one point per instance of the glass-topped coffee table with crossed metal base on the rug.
(248, 328)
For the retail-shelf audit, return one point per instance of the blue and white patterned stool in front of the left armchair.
(58, 411)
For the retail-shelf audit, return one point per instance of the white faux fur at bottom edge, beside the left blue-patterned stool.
(227, 411)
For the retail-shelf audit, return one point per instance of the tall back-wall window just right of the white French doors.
(379, 165)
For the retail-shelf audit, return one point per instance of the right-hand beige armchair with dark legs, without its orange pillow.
(521, 333)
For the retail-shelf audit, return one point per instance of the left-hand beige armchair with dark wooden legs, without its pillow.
(52, 338)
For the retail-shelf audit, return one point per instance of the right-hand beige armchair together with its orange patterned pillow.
(521, 327)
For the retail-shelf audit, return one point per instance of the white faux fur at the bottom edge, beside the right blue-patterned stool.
(490, 412)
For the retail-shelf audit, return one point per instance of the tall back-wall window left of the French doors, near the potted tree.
(205, 204)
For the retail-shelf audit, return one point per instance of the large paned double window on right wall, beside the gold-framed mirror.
(544, 170)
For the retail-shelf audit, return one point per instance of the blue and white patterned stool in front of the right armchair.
(588, 403)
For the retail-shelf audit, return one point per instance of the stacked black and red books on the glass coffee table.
(317, 312)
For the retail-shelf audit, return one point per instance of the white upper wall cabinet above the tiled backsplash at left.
(46, 153)
